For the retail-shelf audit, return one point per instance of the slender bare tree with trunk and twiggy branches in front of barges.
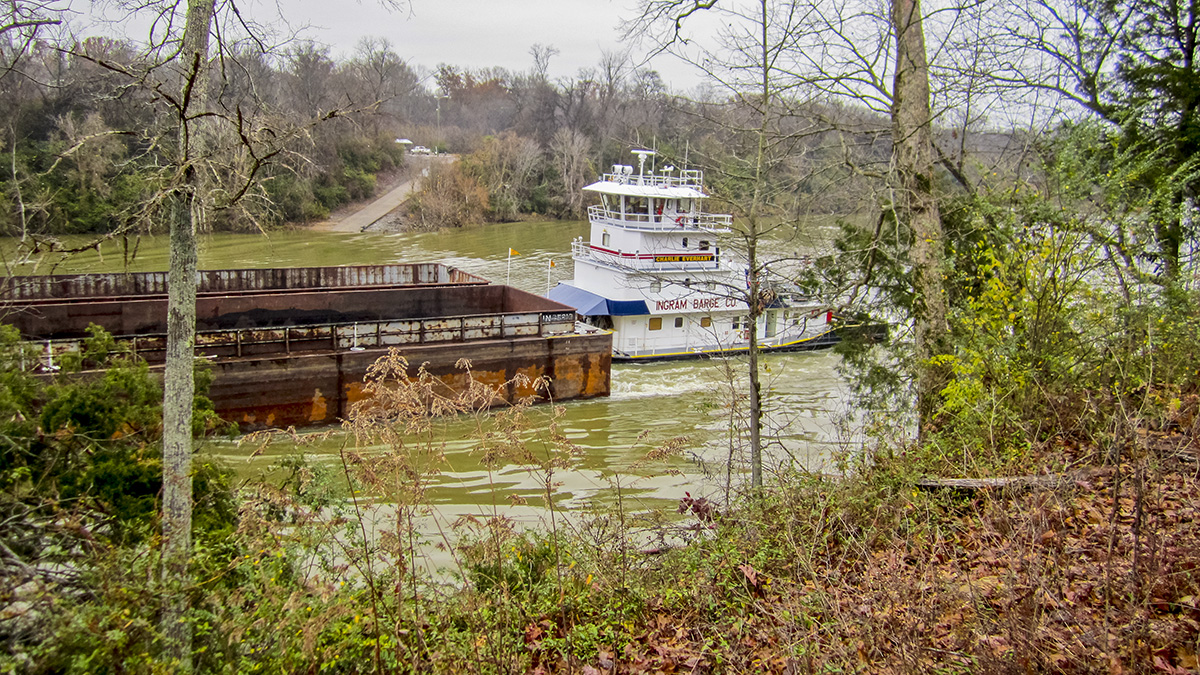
(209, 153)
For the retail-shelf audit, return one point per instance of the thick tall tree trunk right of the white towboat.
(915, 201)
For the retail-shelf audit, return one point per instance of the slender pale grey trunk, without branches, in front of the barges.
(179, 386)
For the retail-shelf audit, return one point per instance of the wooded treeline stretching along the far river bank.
(83, 145)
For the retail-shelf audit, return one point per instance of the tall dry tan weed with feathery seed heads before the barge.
(399, 453)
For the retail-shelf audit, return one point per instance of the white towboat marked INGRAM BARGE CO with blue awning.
(655, 274)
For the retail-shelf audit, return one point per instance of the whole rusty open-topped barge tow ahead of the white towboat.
(292, 347)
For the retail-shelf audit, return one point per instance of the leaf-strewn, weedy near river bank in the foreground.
(1093, 574)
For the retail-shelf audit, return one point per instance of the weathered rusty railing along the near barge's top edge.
(326, 338)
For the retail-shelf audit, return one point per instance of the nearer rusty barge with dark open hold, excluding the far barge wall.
(295, 381)
